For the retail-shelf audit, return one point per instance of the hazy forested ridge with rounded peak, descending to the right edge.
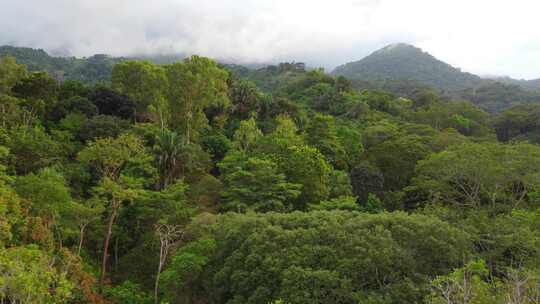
(404, 69)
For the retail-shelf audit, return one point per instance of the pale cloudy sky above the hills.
(486, 37)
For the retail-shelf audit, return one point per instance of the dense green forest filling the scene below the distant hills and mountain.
(195, 182)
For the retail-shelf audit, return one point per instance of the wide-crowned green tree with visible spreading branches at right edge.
(476, 174)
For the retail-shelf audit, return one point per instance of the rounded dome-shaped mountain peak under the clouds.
(404, 61)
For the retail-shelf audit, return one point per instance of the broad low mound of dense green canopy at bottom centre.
(299, 257)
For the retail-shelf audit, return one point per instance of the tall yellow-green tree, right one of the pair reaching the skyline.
(194, 84)
